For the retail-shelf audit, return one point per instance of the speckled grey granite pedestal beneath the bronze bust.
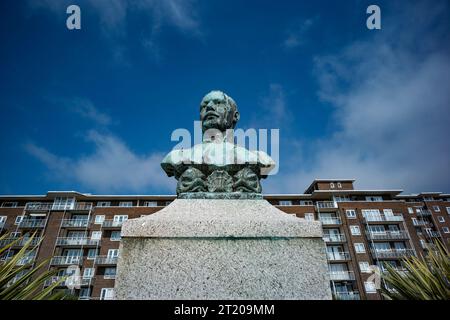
(222, 249)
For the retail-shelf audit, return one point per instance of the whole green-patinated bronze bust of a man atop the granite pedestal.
(217, 165)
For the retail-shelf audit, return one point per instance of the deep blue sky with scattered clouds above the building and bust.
(92, 110)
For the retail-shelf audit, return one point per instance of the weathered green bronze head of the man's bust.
(218, 111)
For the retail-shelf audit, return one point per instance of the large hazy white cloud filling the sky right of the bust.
(391, 109)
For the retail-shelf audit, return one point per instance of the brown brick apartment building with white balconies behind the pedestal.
(361, 228)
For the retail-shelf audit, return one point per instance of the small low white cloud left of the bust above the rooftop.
(111, 167)
